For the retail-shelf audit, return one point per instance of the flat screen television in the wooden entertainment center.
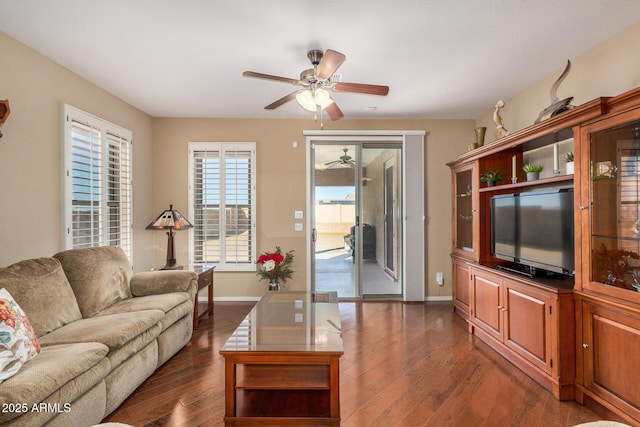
(534, 231)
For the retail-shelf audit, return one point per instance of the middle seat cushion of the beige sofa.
(123, 333)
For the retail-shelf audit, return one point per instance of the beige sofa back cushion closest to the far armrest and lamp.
(99, 276)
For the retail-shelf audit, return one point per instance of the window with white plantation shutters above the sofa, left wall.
(97, 183)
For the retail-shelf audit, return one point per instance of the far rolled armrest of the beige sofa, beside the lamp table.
(164, 281)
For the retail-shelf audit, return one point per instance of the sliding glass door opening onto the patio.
(356, 222)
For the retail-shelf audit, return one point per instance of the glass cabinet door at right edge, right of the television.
(614, 178)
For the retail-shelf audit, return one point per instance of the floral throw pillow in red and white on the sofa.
(18, 342)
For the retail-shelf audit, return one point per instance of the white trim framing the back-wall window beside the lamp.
(222, 147)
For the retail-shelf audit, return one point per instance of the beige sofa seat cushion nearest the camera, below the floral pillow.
(67, 370)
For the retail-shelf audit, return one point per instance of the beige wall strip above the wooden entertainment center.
(609, 69)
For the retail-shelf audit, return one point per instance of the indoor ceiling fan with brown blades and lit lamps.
(313, 95)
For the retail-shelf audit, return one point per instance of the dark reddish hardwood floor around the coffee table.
(404, 365)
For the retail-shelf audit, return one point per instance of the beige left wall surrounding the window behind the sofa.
(30, 171)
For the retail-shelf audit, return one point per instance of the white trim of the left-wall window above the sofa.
(69, 115)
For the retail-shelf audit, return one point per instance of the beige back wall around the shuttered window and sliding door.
(282, 189)
